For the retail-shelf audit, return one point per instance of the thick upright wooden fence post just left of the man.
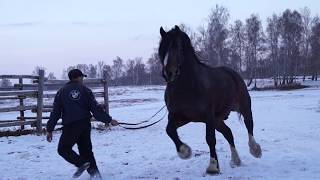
(40, 101)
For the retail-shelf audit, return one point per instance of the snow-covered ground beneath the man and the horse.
(287, 126)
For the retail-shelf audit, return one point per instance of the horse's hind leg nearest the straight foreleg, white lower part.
(227, 133)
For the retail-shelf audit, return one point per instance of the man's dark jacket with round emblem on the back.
(75, 102)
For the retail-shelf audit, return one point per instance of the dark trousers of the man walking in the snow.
(78, 133)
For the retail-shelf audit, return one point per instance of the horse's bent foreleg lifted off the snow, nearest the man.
(184, 151)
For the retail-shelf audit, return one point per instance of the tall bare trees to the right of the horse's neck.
(288, 46)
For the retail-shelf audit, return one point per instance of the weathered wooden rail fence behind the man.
(36, 89)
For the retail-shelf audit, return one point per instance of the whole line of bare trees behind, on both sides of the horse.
(285, 46)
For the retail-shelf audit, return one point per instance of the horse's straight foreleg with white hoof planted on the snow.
(213, 167)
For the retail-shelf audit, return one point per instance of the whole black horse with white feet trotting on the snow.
(196, 92)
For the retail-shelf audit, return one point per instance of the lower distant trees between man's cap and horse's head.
(120, 72)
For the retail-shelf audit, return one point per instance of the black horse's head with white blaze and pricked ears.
(171, 52)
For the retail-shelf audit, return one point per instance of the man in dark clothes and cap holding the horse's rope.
(74, 103)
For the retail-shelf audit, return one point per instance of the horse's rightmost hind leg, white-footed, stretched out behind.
(245, 110)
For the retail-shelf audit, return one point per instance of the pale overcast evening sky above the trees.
(59, 33)
